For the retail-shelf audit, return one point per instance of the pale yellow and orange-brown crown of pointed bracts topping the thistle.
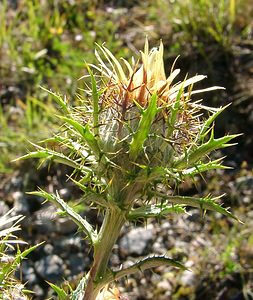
(129, 83)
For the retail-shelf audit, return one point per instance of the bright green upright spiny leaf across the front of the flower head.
(143, 129)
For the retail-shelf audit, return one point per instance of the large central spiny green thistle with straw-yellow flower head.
(131, 143)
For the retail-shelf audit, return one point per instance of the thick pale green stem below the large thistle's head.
(108, 235)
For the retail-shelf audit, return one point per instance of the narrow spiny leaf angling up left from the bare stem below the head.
(82, 223)
